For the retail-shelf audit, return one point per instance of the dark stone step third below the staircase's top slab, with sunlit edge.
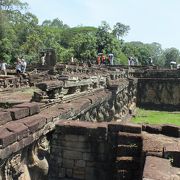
(128, 163)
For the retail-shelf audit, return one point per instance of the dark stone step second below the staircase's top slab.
(129, 150)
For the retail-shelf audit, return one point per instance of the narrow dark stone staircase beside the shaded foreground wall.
(128, 154)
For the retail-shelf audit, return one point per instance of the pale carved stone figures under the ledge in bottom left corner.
(28, 164)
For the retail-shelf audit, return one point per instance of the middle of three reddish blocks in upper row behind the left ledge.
(18, 113)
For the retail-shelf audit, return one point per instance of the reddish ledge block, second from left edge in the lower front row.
(19, 129)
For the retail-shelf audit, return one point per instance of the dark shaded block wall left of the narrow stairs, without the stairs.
(80, 151)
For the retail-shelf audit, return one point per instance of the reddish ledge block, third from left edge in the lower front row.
(34, 122)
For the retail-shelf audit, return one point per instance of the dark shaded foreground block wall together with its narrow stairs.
(93, 151)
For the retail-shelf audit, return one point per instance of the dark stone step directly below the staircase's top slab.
(129, 139)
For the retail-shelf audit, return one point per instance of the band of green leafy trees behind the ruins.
(22, 35)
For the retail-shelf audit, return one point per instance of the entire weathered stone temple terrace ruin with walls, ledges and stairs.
(77, 125)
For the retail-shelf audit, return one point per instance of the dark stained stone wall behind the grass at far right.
(160, 94)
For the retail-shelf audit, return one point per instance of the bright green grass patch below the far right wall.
(157, 117)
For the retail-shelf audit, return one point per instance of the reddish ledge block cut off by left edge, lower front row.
(6, 137)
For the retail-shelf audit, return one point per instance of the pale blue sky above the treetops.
(149, 20)
